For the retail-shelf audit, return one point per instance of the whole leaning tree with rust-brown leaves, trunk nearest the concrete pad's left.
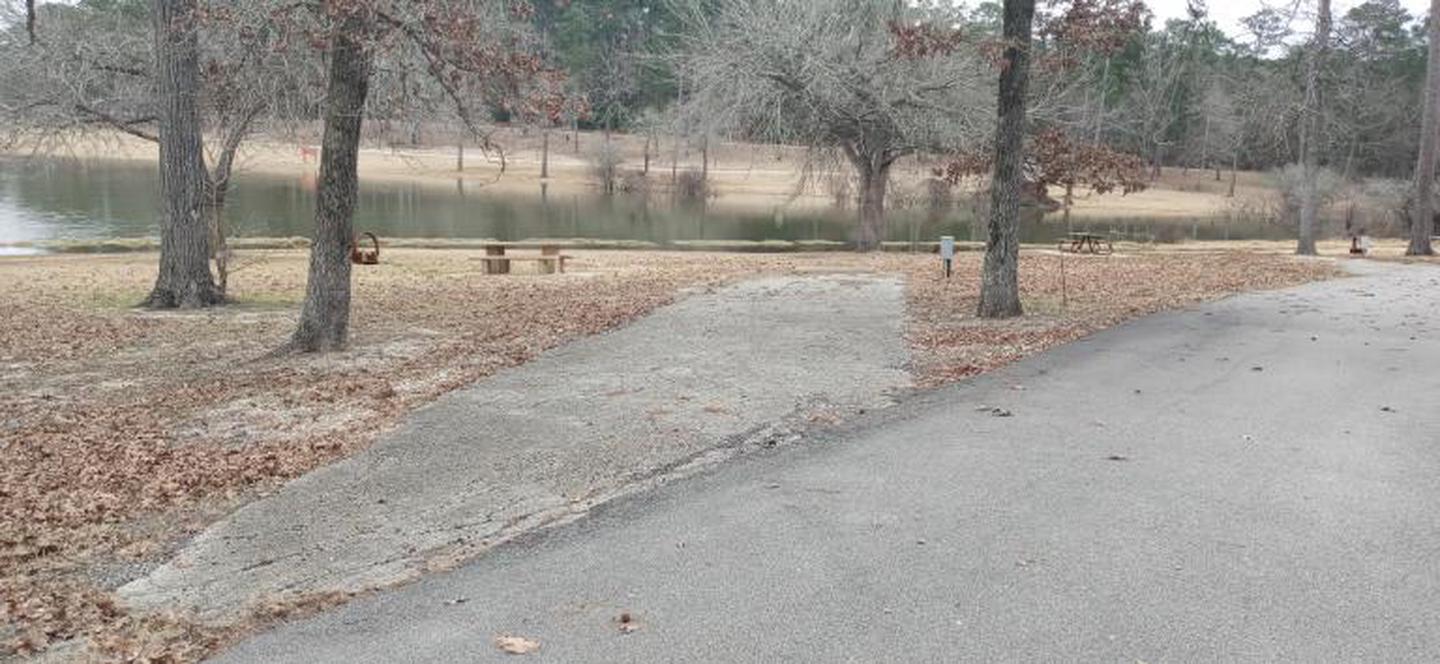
(467, 48)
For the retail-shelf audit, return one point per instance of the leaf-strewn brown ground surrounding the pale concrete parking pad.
(125, 431)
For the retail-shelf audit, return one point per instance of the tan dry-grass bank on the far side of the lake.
(741, 175)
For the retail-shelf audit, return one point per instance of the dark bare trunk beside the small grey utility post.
(1000, 279)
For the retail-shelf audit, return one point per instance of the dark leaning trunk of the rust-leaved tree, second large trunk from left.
(325, 322)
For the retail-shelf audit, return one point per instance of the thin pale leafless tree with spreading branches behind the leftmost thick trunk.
(94, 76)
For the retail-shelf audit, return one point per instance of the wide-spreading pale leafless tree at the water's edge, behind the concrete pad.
(839, 77)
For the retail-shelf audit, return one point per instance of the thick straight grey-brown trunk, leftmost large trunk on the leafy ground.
(185, 279)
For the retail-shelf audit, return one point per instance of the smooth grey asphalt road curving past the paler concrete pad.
(1254, 480)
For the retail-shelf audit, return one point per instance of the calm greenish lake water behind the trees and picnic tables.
(42, 199)
